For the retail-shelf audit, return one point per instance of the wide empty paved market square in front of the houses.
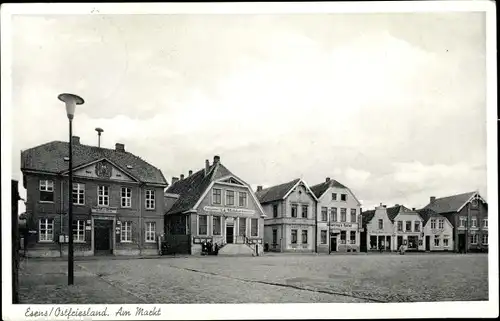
(266, 279)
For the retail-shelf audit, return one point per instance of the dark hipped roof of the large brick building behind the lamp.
(49, 158)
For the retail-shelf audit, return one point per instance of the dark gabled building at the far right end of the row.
(468, 213)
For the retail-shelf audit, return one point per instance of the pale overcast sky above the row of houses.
(391, 105)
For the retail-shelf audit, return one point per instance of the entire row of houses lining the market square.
(123, 205)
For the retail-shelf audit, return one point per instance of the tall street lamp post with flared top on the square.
(71, 101)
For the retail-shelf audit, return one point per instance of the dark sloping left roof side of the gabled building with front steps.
(191, 188)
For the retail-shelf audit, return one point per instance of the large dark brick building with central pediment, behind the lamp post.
(117, 200)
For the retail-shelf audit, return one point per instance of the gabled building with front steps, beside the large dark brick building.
(214, 205)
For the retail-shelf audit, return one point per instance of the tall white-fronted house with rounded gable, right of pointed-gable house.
(338, 217)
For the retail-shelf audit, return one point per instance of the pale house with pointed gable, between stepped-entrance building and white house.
(290, 225)
